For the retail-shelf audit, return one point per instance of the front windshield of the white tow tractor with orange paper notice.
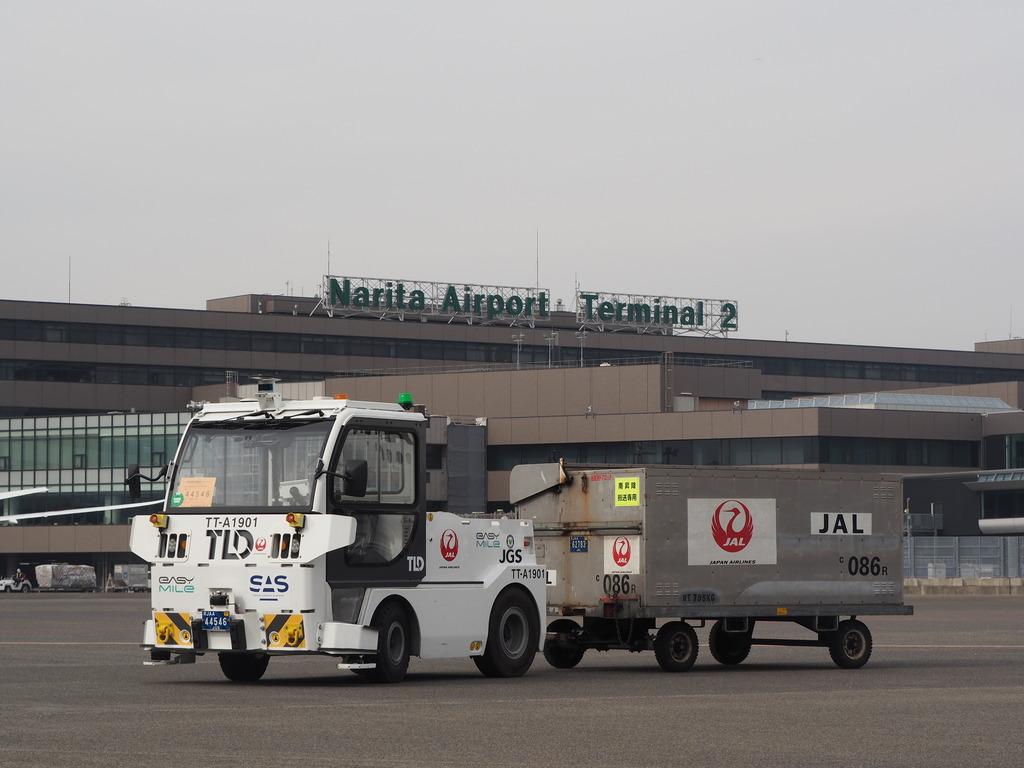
(251, 464)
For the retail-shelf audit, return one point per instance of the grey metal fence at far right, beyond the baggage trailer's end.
(963, 558)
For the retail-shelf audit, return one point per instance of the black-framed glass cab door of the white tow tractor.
(391, 533)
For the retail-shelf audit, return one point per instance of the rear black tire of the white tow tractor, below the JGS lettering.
(514, 634)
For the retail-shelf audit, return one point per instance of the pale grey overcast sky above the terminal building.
(849, 173)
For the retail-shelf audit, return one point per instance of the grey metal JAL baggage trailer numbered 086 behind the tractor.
(635, 547)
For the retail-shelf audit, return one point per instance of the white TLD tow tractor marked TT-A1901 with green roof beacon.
(301, 528)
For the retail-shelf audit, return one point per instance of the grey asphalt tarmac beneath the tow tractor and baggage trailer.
(945, 688)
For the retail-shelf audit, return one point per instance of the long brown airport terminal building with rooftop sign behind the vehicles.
(509, 377)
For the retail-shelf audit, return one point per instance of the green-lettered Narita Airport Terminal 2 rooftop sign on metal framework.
(491, 305)
